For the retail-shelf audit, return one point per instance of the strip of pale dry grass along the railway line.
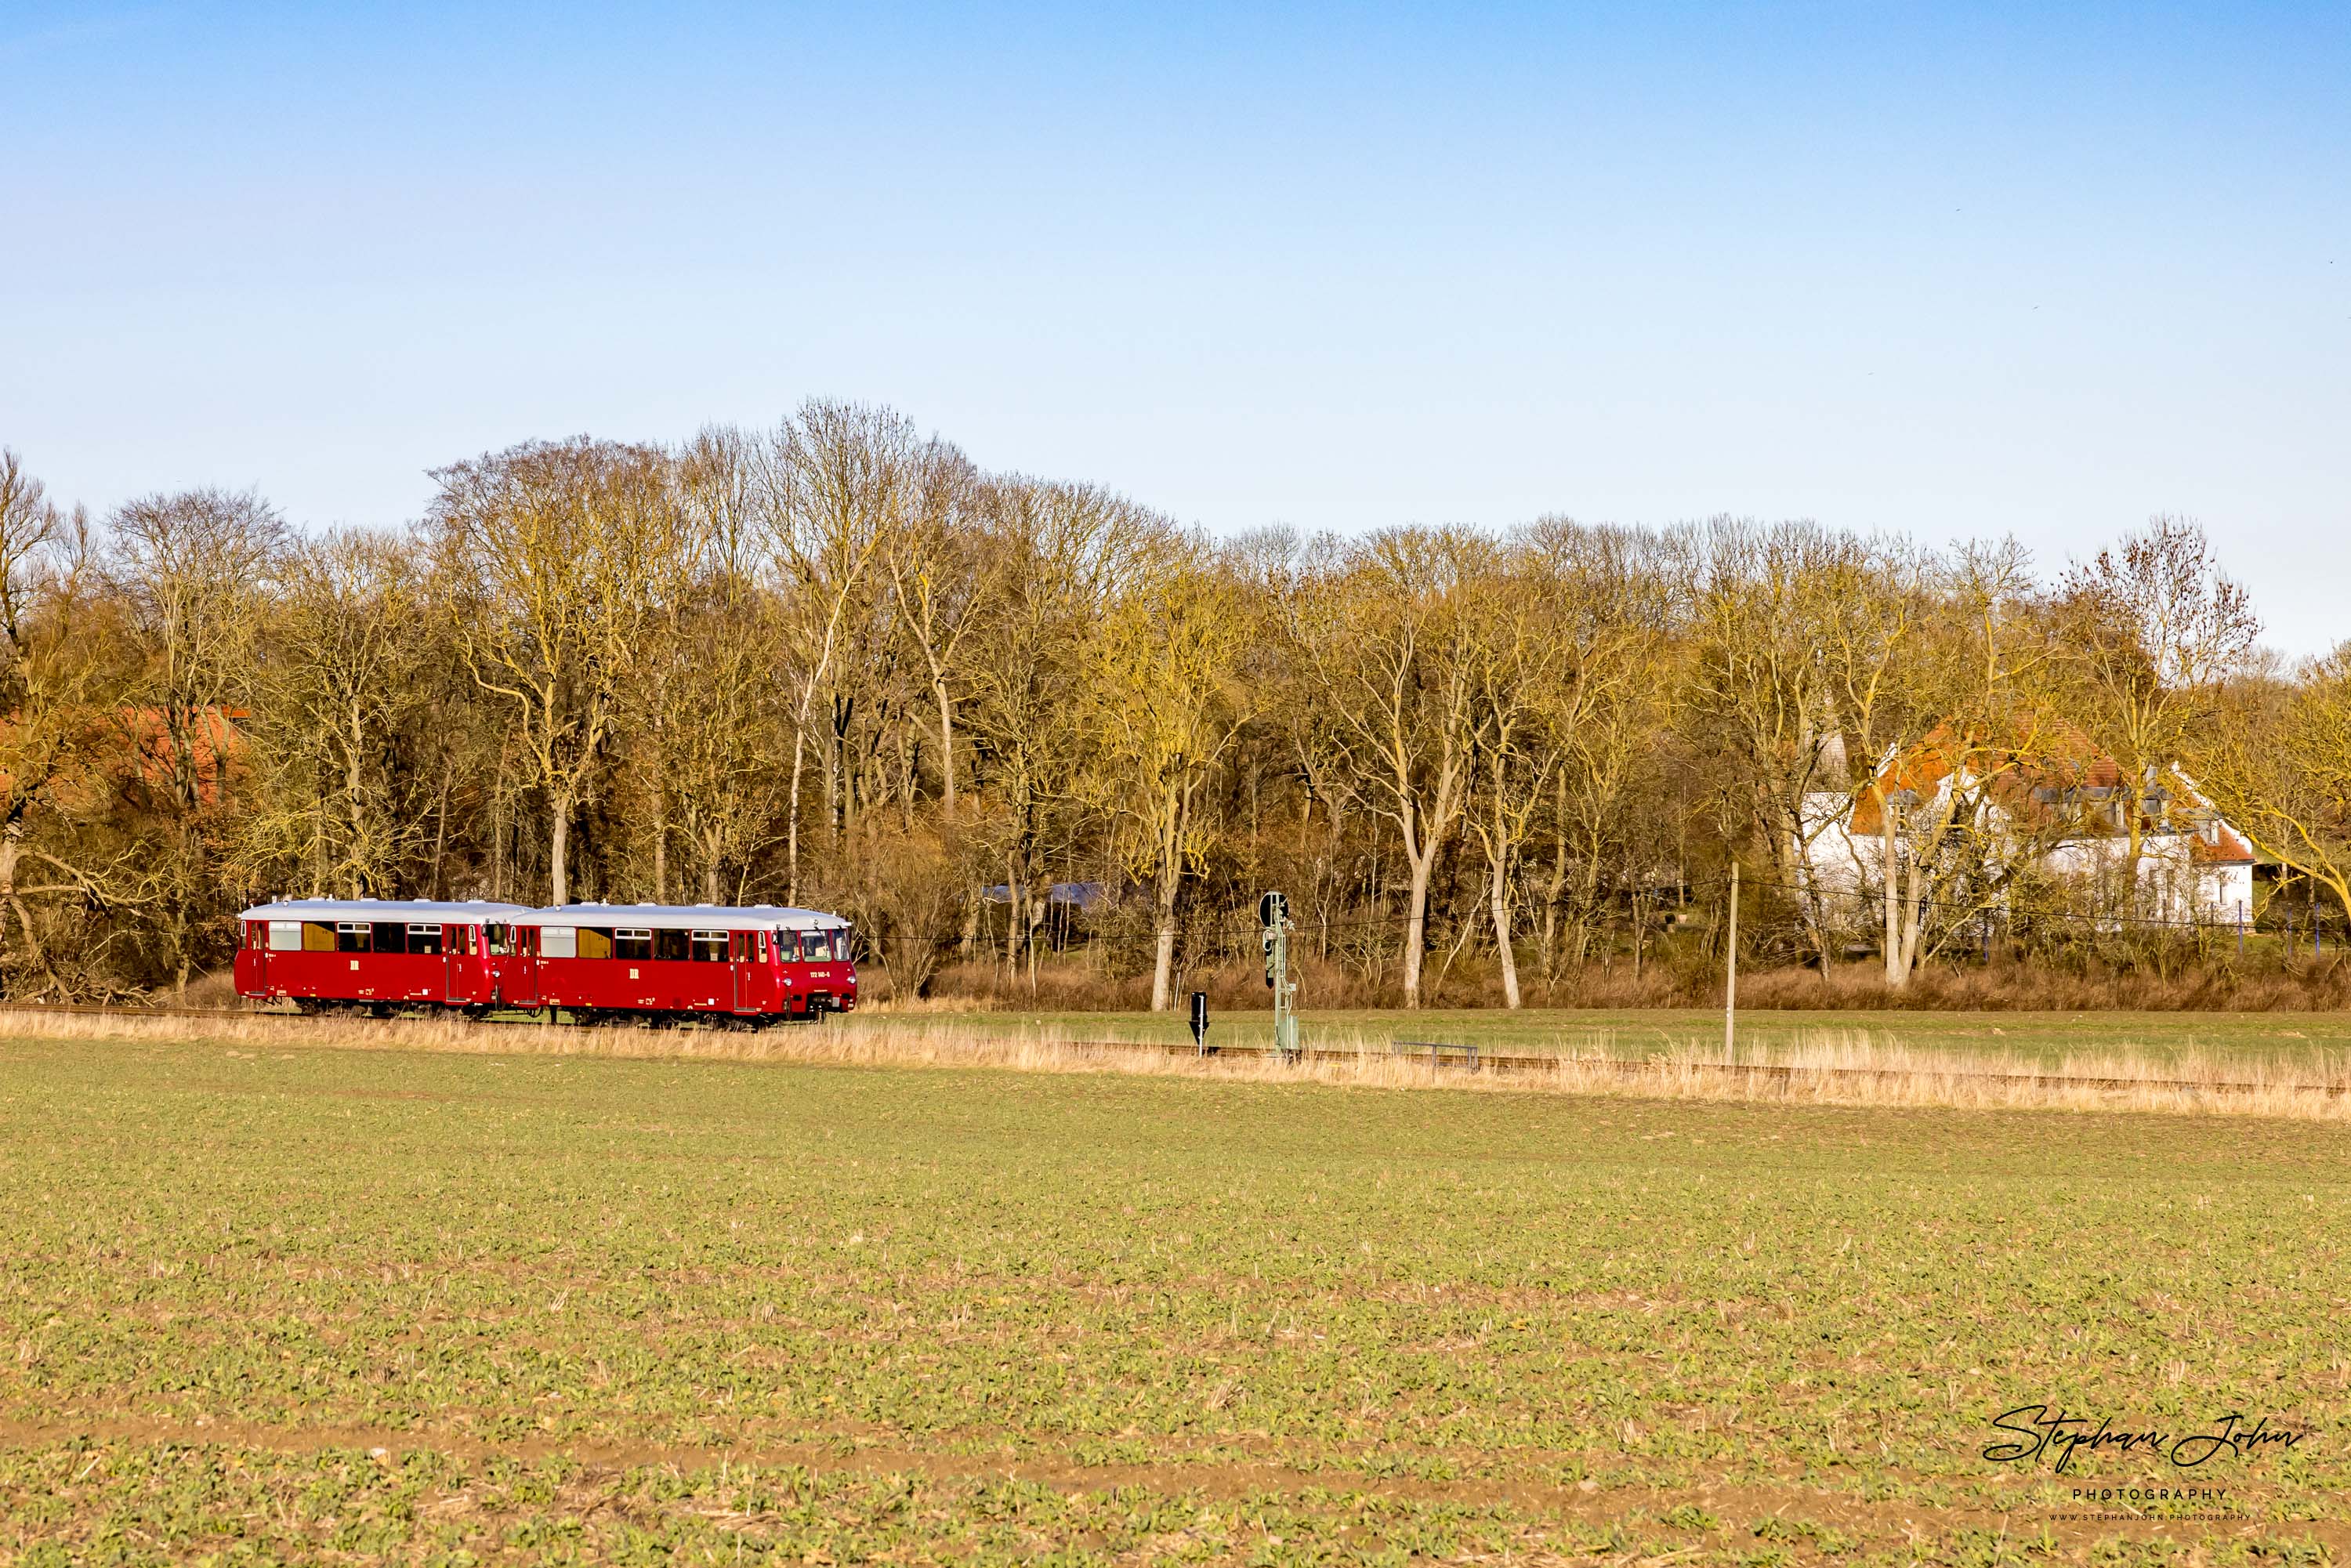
(1835, 1066)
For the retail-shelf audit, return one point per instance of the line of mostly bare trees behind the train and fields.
(838, 664)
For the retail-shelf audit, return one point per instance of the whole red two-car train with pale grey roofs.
(582, 960)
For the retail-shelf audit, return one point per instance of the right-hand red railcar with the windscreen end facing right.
(756, 963)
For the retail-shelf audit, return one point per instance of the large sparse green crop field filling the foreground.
(384, 1306)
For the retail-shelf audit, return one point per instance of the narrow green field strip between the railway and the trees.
(2025, 1038)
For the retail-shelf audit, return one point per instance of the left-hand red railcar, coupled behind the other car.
(373, 953)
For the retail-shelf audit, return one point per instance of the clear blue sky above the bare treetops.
(1927, 269)
